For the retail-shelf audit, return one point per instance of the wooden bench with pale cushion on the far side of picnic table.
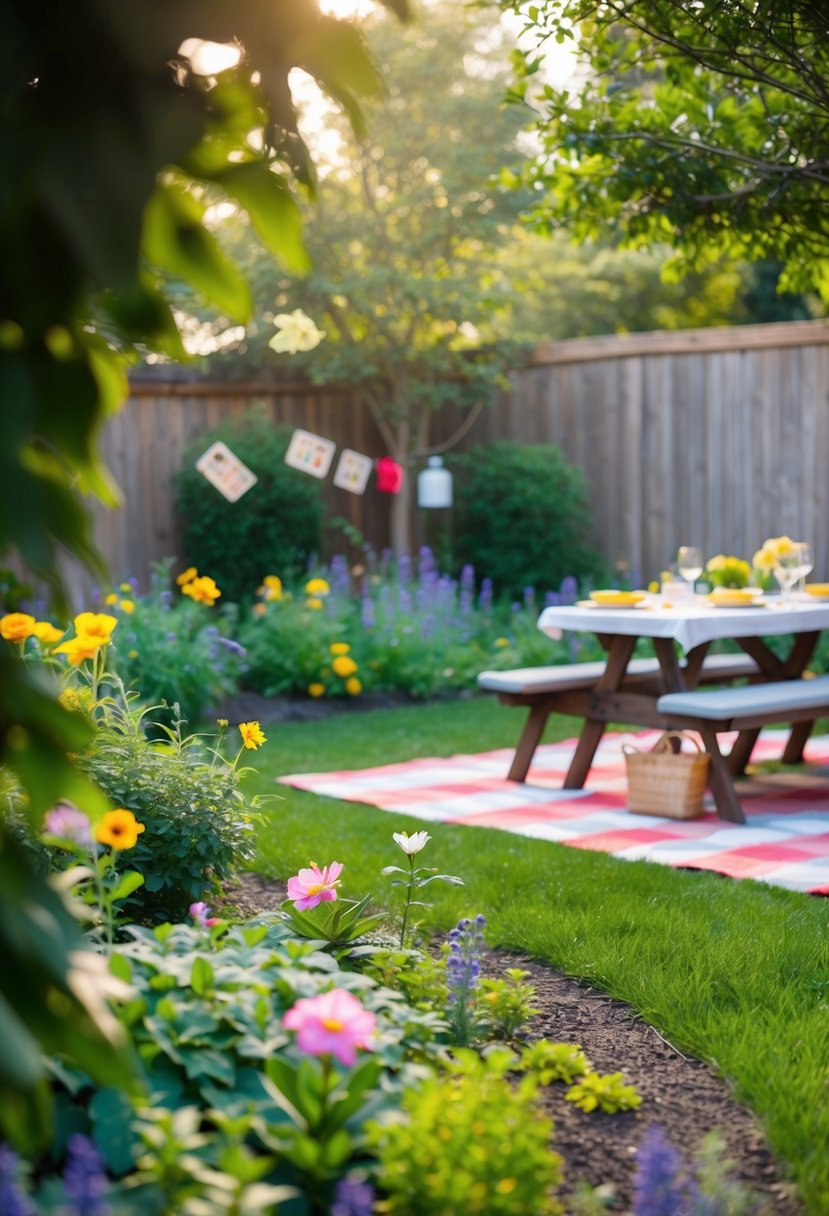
(546, 691)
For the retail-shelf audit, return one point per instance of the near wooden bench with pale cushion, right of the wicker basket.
(712, 712)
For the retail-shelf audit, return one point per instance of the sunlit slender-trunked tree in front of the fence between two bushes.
(405, 241)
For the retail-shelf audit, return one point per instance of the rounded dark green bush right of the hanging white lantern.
(523, 516)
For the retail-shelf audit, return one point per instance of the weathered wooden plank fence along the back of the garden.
(709, 437)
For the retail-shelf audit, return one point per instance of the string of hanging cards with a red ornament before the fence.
(309, 454)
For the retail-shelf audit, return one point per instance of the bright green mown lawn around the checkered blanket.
(736, 973)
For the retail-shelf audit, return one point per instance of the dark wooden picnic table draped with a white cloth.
(691, 627)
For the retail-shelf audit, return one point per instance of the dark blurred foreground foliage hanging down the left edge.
(109, 142)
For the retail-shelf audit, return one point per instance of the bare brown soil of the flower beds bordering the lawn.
(680, 1094)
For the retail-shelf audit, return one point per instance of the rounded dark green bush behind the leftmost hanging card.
(275, 526)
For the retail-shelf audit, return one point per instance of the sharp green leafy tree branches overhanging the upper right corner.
(702, 126)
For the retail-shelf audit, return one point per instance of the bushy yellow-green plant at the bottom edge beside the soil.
(492, 1151)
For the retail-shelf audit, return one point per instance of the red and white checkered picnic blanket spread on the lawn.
(785, 842)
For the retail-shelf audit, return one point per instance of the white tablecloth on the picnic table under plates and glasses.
(690, 626)
